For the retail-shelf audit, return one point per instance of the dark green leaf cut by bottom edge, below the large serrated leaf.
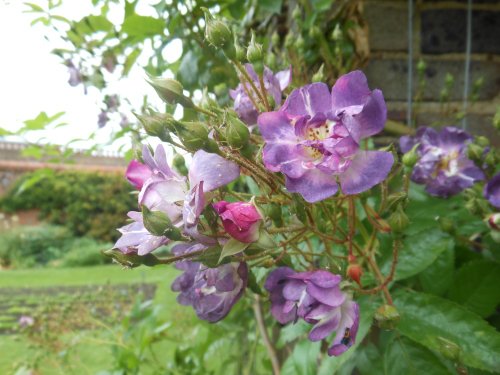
(404, 356)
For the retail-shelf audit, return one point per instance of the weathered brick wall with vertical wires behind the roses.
(439, 39)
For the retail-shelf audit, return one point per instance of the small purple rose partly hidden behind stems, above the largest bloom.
(274, 84)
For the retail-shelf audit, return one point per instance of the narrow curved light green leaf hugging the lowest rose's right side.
(367, 306)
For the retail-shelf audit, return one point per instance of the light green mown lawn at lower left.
(93, 352)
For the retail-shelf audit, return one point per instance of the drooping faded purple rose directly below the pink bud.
(211, 292)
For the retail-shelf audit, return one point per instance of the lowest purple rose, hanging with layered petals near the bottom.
(316, 297)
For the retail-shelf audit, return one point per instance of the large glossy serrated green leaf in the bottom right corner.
(431, 320)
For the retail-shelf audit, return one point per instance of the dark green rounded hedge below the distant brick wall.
(89, 204)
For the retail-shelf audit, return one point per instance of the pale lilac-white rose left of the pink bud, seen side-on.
(162, 189)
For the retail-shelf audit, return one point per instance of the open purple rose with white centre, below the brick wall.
(443, 165)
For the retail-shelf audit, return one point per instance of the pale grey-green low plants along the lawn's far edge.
(26, 247)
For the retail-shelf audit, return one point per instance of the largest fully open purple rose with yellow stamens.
(314, 138)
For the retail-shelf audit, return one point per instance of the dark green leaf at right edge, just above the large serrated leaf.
(476, 286)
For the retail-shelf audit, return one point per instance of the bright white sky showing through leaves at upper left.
(33, 80)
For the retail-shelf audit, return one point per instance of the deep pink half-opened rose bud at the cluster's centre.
(241, 220)
